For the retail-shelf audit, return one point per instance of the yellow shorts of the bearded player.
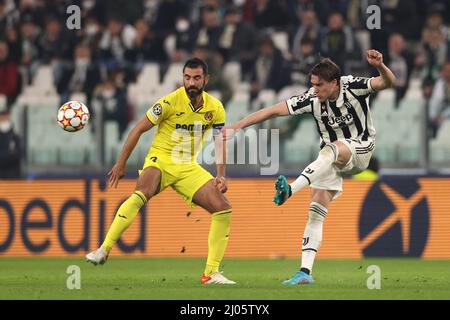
(185, 178)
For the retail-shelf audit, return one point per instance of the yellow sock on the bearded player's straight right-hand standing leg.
(217, 240)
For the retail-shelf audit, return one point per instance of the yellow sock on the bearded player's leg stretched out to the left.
(124, 217)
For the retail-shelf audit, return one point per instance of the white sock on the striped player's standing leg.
(312, 237)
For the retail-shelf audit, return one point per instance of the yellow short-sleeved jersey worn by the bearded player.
(181, 128)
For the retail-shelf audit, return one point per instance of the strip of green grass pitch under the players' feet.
(168, 279)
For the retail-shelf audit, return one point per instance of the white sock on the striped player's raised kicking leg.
(317, 169)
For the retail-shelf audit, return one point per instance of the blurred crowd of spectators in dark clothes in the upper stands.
(274, 43)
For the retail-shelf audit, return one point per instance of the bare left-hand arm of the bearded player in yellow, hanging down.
(118, 170)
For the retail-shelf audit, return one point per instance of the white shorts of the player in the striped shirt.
(359, 161)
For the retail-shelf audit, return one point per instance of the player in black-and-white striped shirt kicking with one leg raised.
(340, 106)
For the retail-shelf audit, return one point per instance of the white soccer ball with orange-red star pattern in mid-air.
(73, 116)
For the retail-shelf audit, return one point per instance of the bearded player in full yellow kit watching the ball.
(183, 118)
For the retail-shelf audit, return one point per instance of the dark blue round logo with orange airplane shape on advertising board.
(395, 219)
